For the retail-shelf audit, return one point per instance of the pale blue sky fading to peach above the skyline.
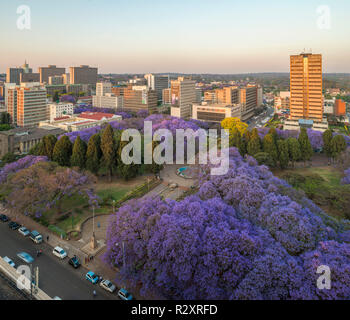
(184, 36)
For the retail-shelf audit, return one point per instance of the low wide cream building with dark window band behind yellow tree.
(215, 112)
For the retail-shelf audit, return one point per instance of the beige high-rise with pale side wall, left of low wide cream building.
(183, 95)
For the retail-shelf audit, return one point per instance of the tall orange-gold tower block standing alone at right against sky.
(306, 87)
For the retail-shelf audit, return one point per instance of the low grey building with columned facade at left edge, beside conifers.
(21, 140)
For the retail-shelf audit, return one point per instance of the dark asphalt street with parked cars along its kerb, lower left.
(57, 278)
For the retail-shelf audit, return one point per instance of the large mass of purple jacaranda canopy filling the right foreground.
(245, 235)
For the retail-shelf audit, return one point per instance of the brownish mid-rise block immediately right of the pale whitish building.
(137, 98)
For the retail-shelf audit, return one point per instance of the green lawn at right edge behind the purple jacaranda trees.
(323, 186)
